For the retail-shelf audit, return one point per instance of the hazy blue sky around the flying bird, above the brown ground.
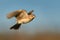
(47, 14)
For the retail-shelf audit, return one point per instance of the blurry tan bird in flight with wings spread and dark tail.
(22, 17)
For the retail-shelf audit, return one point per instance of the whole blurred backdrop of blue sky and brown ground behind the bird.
(46, 25)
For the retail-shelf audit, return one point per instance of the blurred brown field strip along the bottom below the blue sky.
(25, 36)
